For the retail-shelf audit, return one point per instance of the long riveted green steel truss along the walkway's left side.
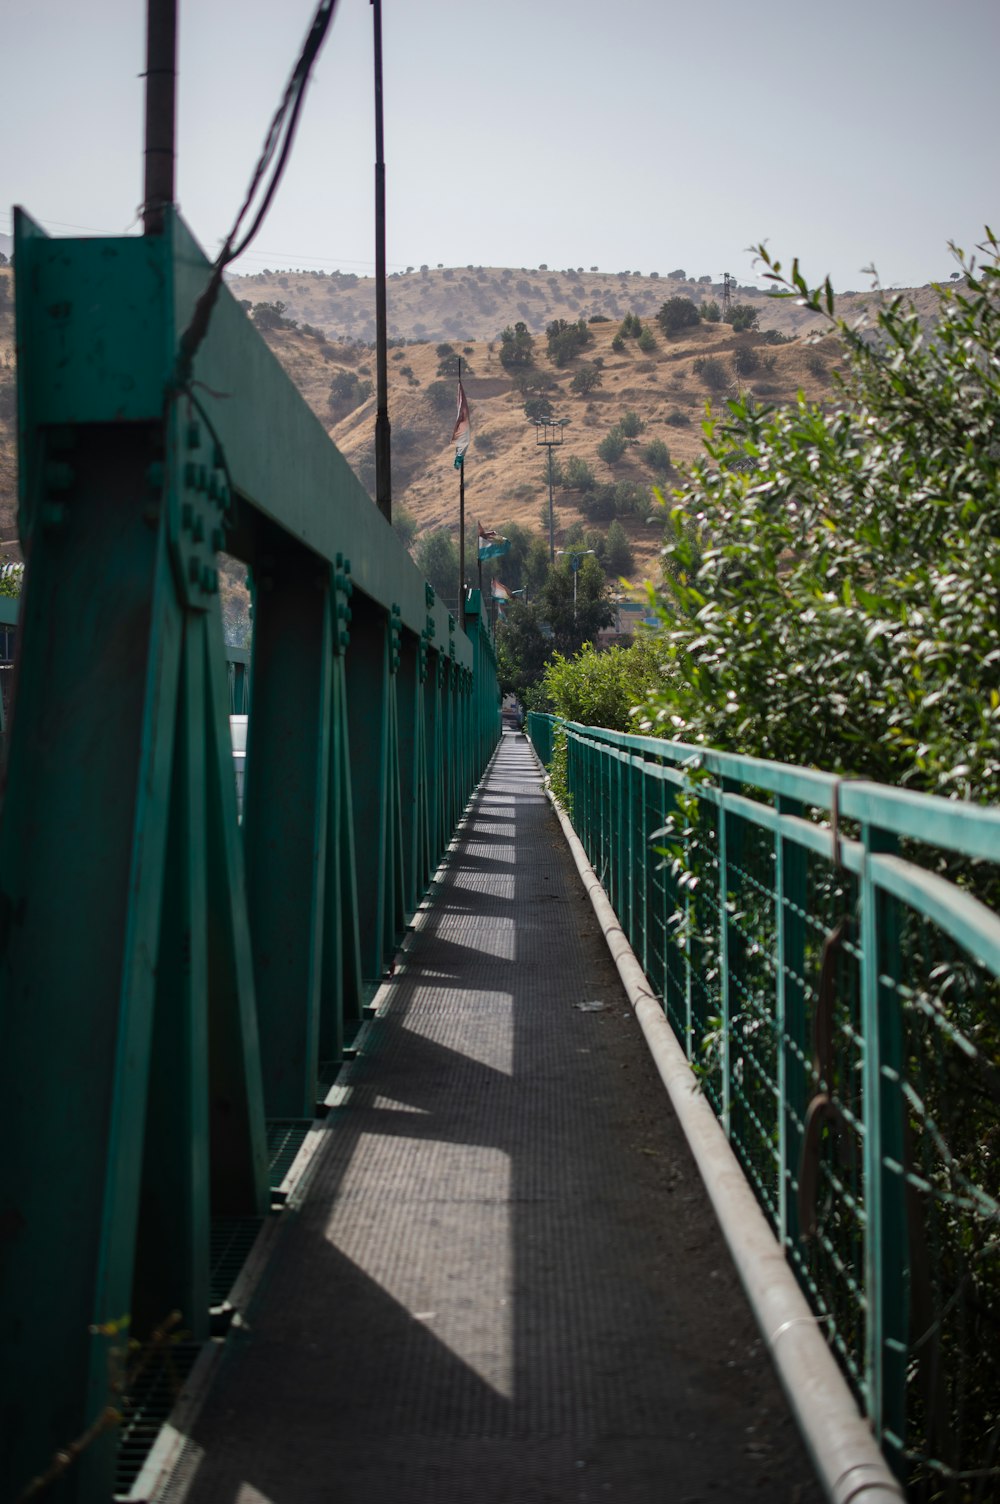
(169, 978)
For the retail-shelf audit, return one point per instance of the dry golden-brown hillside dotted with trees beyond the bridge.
(665, 387)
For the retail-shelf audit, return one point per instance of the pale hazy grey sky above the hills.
(628, 135)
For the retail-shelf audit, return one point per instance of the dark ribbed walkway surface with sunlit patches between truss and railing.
(505, 1284)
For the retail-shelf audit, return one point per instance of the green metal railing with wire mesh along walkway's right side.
(828, 953)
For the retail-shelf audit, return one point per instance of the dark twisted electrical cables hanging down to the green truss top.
(277, 144)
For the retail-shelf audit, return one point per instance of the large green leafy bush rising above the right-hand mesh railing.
(835, 601)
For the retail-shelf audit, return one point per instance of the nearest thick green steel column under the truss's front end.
(82, 852)
